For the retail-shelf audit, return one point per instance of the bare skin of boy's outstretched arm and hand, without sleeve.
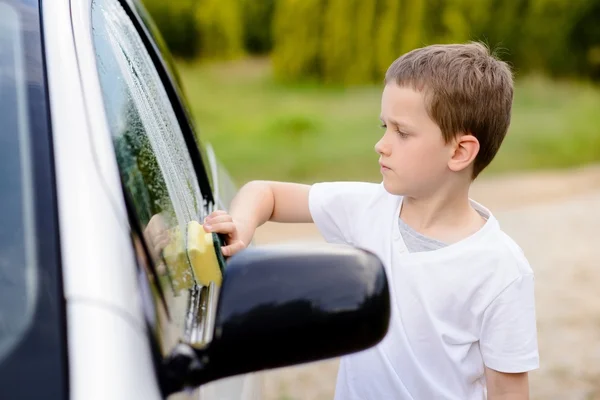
(256, 203)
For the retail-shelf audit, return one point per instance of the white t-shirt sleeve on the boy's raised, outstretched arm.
(334, 207)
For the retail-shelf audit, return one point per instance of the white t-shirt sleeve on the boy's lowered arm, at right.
(509, 335)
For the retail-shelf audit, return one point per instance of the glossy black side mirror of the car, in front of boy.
(281, 306)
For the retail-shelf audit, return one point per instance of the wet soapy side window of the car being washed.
(154, 163)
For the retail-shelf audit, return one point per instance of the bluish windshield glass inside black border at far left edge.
(18, 271)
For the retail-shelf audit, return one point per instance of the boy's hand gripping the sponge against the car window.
(238, 234)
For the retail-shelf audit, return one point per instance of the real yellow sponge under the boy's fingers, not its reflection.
(202, 255)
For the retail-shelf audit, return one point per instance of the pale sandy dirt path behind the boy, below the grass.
(555, 218)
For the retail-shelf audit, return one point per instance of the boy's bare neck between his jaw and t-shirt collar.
(445, 215)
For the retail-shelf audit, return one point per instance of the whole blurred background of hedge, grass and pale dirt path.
(290, 90)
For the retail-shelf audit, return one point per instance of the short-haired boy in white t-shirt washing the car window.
(463, 314)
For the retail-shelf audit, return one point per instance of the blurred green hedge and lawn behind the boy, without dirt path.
(297, 82)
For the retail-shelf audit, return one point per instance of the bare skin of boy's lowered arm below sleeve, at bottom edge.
(506, 386)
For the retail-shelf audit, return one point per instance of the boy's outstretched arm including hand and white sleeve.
(334, 207)
